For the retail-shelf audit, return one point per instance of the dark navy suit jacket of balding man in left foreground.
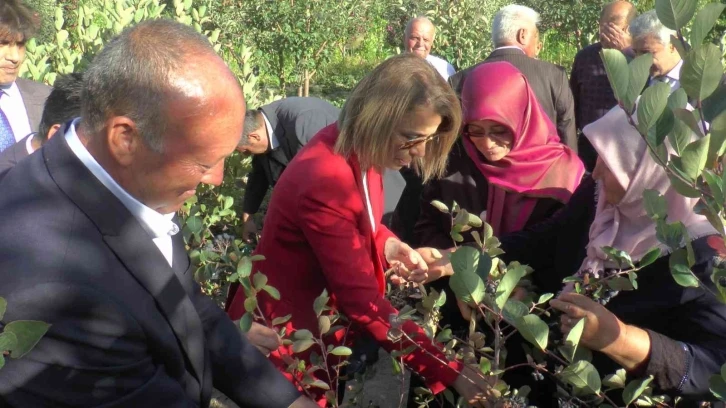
(127, 329)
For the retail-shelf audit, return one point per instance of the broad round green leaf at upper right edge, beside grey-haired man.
(702, 71)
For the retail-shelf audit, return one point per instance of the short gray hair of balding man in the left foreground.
(134, 73)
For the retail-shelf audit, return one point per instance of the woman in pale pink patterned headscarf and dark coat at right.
(673, 333)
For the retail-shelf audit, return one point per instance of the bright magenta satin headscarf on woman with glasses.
(537, 166)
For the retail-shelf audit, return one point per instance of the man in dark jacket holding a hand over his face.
(594, 96)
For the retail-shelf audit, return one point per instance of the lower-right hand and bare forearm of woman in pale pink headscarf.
(627, 345)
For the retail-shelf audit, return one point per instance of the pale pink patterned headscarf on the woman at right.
(626, 226)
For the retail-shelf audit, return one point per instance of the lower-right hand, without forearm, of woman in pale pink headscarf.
(602, 327)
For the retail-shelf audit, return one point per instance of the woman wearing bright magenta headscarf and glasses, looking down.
(508, 166)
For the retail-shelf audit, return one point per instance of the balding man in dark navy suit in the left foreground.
(89, 245)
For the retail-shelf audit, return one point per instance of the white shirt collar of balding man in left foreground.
(160, 227)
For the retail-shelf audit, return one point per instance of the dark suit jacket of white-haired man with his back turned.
(549, 83)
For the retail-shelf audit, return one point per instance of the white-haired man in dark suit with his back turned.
(516, 40)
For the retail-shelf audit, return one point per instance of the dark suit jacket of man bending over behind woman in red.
(294, 122)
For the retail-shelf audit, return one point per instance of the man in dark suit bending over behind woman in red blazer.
(274, 133)
